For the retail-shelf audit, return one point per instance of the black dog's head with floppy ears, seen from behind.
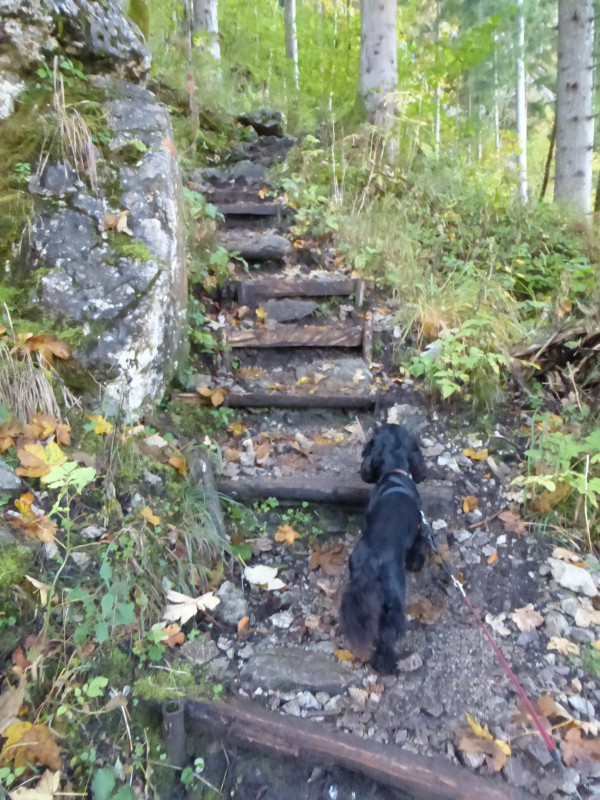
(392, 447)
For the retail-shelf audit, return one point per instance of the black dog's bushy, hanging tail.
(360, 611)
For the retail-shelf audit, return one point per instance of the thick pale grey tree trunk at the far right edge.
(574, 121)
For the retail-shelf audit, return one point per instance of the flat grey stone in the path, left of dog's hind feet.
(295, 669)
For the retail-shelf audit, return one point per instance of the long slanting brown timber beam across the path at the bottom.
(244, 723)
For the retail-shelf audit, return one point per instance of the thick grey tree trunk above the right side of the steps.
(378, 53)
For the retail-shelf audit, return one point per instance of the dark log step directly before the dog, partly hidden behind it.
(348, 490)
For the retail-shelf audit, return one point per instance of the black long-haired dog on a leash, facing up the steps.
(372, 612)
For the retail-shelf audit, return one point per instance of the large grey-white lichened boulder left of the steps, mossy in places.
(137, 311)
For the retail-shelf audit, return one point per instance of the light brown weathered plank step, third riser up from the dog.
(298, 336)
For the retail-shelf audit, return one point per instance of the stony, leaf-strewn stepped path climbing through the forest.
(282, 648)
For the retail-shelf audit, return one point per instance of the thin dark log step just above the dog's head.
(354, 402)
